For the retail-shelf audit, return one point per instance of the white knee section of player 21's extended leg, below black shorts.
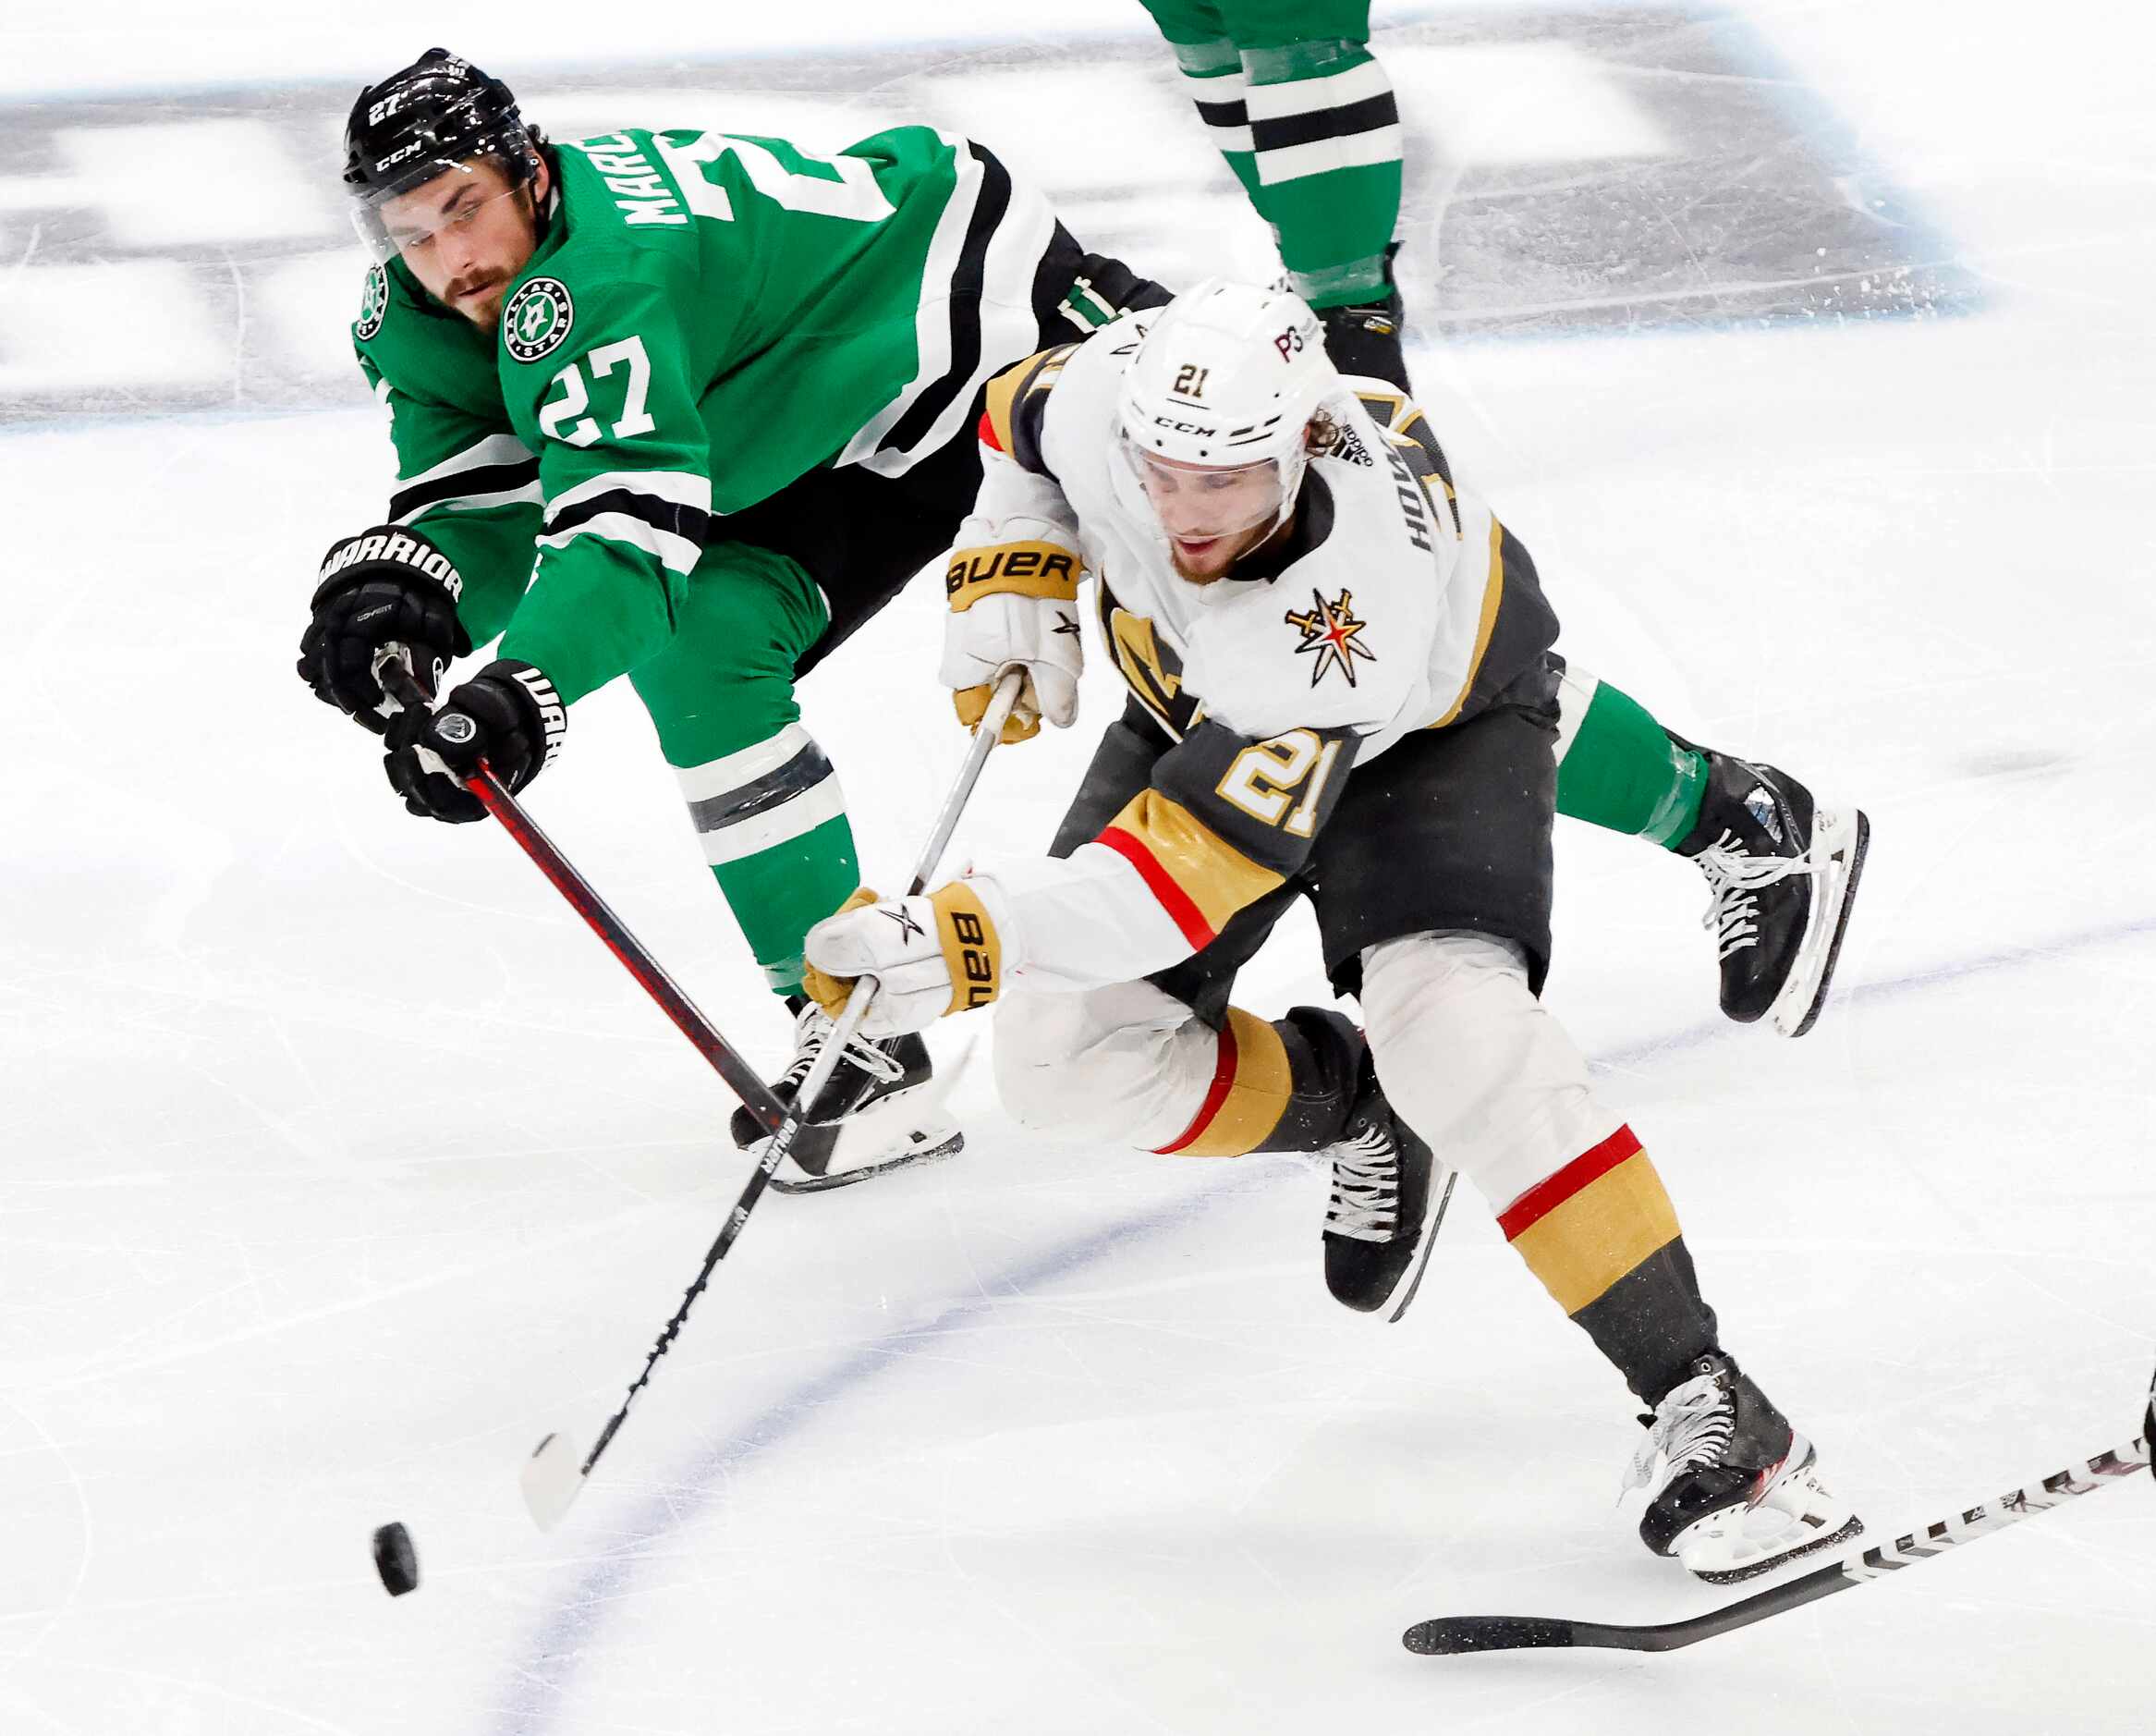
(1474, 1062)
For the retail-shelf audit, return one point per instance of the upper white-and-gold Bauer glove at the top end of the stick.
(1014, 607)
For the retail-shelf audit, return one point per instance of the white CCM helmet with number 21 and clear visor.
(1226, 378)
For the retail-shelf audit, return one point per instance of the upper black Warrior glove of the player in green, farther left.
(378, 590)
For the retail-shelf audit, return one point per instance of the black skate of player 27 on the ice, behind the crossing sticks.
(876, 1112)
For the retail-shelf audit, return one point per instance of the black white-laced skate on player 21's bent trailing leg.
(1390, 1198)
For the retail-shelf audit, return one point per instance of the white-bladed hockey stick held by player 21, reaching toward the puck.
(555, 1474)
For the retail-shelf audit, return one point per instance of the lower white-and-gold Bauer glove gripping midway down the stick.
(930, 956)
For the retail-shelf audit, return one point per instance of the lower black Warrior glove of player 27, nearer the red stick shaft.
(508, 717)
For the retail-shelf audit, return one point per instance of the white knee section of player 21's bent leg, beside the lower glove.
(1122, 1064)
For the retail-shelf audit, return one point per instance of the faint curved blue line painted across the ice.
(538, 1687)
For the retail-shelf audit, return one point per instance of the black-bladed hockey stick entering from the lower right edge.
(1448, 1636)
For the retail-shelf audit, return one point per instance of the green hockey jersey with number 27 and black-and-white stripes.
(706, 320)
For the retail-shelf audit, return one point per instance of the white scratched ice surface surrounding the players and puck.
(342, 1163)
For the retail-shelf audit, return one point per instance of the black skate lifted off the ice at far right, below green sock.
(1782, 877)
